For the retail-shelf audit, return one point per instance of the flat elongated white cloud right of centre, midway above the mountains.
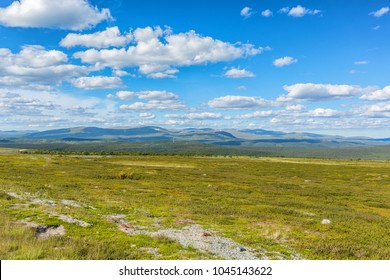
(239, 102)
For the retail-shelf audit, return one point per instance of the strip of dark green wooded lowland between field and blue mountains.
(196, 148)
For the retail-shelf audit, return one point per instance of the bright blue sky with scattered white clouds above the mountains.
(314, 66)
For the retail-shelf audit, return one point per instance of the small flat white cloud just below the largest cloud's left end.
(97, 82)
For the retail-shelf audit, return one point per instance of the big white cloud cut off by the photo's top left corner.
(70, 14)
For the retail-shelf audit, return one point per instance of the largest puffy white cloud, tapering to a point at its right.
(157, 52)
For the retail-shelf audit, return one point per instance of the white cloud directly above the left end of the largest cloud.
(111, 37)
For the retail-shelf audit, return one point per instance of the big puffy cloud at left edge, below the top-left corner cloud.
(34, 65)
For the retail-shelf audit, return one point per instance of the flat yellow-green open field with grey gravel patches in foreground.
(177, 207)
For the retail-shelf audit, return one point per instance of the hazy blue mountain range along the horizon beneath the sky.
(228, 137)
